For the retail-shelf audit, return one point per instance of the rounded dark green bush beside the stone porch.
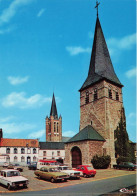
(101, 162)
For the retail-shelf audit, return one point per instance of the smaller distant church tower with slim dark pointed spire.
(53, 124)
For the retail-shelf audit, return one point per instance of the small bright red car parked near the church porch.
(88, 171)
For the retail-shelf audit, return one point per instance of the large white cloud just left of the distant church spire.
(20, 100)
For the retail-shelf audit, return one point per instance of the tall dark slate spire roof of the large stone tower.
(101, 67)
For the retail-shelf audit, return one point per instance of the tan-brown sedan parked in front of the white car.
(51, 173)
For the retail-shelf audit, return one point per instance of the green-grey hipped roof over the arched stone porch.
(88, 133)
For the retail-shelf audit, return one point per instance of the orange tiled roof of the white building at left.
(5, 142)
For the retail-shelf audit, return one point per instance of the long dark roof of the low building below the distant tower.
(51, 145)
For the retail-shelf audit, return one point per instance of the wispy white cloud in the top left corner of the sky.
(10, 12)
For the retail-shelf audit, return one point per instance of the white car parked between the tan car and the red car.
(72, 173)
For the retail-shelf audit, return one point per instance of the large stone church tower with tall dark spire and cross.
(101, 99)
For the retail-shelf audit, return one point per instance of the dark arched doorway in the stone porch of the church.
(76, 156)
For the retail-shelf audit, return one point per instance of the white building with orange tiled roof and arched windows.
(21, 151)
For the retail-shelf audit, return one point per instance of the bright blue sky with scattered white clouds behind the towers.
(45, 47)
